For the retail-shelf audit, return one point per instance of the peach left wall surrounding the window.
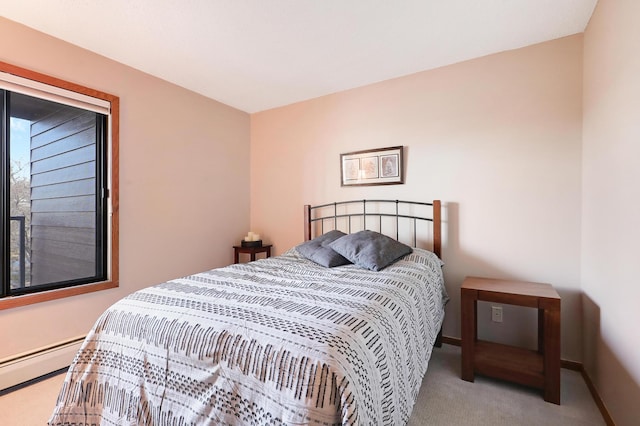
(184, 190)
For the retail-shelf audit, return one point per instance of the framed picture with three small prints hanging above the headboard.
(381, 166)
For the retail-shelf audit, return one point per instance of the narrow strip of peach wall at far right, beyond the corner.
(611, 206)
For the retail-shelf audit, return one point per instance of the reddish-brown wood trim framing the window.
(113, 273)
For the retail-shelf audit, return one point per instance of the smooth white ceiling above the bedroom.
(260, 54)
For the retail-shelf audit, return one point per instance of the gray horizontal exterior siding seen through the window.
(63, 197)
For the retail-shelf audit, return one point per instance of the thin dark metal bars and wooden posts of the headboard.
(436, 217)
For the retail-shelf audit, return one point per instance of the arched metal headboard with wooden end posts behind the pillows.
(374, 210)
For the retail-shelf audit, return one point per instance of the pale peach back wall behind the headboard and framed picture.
(498, 139)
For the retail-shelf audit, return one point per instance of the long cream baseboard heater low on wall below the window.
(33, 364)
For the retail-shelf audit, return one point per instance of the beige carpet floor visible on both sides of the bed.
(444, 400)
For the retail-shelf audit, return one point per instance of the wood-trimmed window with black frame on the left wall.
(58, 154)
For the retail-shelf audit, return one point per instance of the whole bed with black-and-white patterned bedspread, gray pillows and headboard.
(284, 340)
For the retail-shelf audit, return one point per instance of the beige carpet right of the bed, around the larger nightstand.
(445, 399)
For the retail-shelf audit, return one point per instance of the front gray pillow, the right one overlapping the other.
(370, 249)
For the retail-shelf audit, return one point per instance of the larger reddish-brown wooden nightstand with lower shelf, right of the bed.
(539, 369)
